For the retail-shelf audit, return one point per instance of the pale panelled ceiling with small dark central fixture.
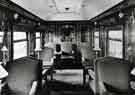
(66, 9)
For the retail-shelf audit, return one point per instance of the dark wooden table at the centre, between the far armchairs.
(67, 62)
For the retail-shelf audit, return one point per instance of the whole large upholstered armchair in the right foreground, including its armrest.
(112, 76)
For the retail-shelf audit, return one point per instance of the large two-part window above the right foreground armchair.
(115, 43)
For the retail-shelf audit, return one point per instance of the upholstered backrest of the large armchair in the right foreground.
(113, 72)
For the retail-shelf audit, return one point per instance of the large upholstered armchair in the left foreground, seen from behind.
(25, 77)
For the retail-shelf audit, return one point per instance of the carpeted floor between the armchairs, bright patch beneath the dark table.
(67, 82)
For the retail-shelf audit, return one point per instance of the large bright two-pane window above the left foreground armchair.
(20, 44)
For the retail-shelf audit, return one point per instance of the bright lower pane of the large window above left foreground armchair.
(20, 49)
